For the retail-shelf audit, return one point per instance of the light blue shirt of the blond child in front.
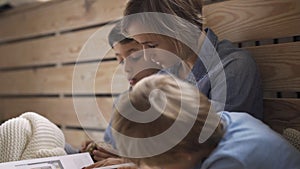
(250, 144)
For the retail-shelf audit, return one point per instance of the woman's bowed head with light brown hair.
(170, 25)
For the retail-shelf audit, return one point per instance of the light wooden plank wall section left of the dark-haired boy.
(39, 47)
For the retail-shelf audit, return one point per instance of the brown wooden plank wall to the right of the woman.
(269, 29)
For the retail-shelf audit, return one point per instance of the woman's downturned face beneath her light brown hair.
(157, 48)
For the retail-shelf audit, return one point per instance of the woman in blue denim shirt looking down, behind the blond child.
(170, 33)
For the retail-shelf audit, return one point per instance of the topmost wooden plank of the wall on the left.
(60, 16)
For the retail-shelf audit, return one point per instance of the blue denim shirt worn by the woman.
(226, 74)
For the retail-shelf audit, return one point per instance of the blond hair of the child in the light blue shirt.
(181, 97)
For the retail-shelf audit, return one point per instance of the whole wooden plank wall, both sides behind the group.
(39, 47)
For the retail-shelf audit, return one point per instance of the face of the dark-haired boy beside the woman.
(130, 55)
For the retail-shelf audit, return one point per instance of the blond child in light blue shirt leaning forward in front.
(238, 142)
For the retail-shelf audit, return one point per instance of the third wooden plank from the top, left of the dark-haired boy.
(87, 79)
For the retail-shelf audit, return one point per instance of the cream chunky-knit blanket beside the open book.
(30, 136)
